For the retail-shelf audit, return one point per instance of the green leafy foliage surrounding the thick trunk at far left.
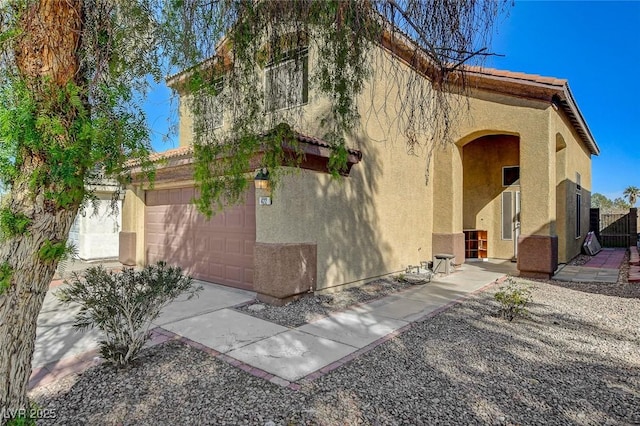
(91, 121)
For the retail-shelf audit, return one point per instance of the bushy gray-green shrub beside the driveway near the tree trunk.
(123, 305)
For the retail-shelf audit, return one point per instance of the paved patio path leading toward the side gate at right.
(604, 267)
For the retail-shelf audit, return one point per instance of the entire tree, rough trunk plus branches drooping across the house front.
(73, 75)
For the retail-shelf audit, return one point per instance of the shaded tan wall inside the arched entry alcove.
(483, 160)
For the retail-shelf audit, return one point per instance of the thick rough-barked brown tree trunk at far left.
(46, 55)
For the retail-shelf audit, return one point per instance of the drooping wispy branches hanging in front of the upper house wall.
(242, 38)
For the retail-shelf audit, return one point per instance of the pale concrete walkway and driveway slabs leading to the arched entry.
(286, 356)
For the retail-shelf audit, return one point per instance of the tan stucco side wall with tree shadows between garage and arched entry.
(379, 219)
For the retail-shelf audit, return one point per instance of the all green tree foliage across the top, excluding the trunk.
(98, 114)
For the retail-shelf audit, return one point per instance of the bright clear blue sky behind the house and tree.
(594, 45)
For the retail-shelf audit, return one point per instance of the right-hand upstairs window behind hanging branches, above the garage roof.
(287, 81)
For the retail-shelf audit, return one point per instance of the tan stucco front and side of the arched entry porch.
(548, 168)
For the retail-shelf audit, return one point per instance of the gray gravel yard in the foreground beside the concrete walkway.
(574, 360)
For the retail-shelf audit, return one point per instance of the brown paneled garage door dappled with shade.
(219, 250)
